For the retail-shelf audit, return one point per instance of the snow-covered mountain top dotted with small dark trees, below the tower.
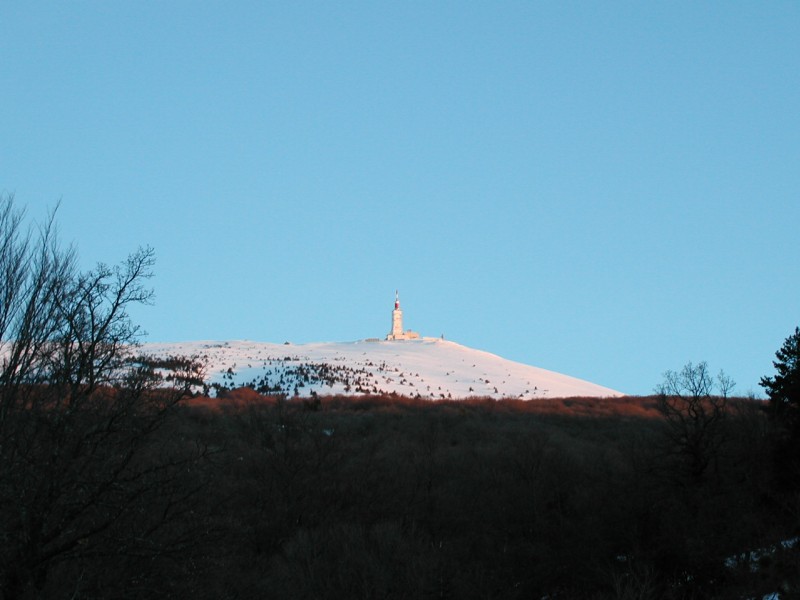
(430, 368)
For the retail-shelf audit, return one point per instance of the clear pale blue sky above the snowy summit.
(607, 190)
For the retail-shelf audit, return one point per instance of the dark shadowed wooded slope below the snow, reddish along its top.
(386, 497)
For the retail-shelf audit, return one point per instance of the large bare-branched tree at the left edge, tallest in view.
(88, 477)
